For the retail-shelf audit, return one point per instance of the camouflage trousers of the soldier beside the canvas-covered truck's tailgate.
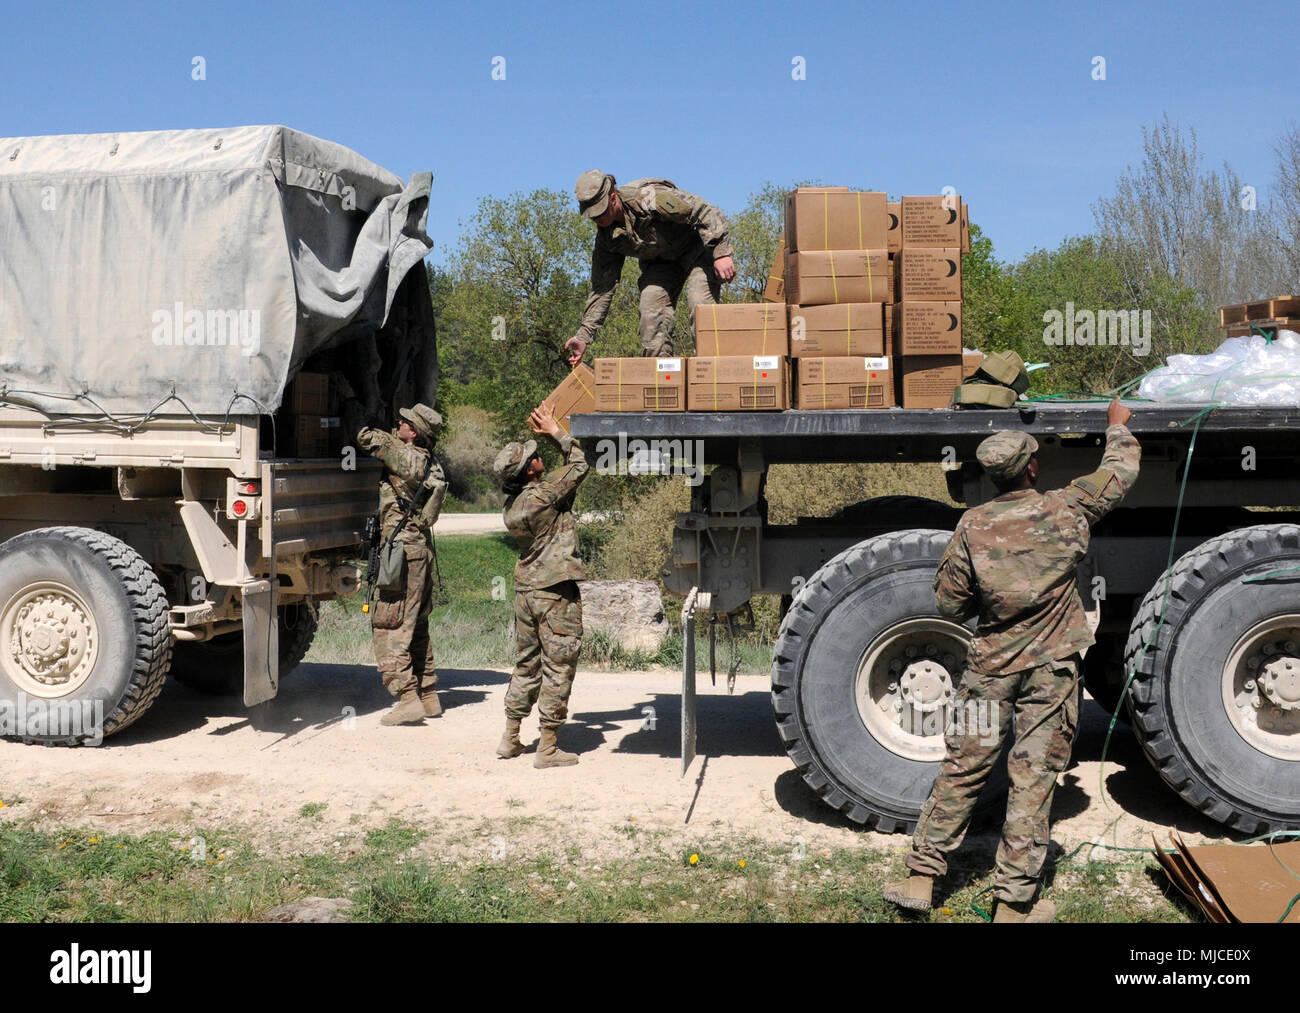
(400, 621)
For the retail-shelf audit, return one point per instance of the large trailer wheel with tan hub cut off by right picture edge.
(1216, 699)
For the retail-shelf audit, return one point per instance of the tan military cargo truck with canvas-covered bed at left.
(163, 506)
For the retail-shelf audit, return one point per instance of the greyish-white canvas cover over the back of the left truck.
(203, 263)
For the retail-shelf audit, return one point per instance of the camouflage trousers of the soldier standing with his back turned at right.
(1043, 705)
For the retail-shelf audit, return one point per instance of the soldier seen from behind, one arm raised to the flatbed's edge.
(1012, 562)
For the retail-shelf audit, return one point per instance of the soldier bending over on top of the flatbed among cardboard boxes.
(681, 241)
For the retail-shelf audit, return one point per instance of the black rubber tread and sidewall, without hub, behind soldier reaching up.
(835, 624)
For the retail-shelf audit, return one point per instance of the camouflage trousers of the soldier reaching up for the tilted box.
(549, 635)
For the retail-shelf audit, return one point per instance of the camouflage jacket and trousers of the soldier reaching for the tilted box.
(548, 605)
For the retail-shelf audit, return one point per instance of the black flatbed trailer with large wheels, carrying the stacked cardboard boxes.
(1193, 586)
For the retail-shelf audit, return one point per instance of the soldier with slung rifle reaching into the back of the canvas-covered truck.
(400, 620)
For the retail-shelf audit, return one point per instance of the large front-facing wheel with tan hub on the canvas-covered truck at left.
(84, 624)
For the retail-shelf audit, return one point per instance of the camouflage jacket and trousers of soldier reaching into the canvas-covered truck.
(400, 620)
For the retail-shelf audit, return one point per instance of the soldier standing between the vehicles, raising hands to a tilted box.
(548, 605)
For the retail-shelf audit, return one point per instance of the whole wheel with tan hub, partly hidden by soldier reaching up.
(868, 750)
